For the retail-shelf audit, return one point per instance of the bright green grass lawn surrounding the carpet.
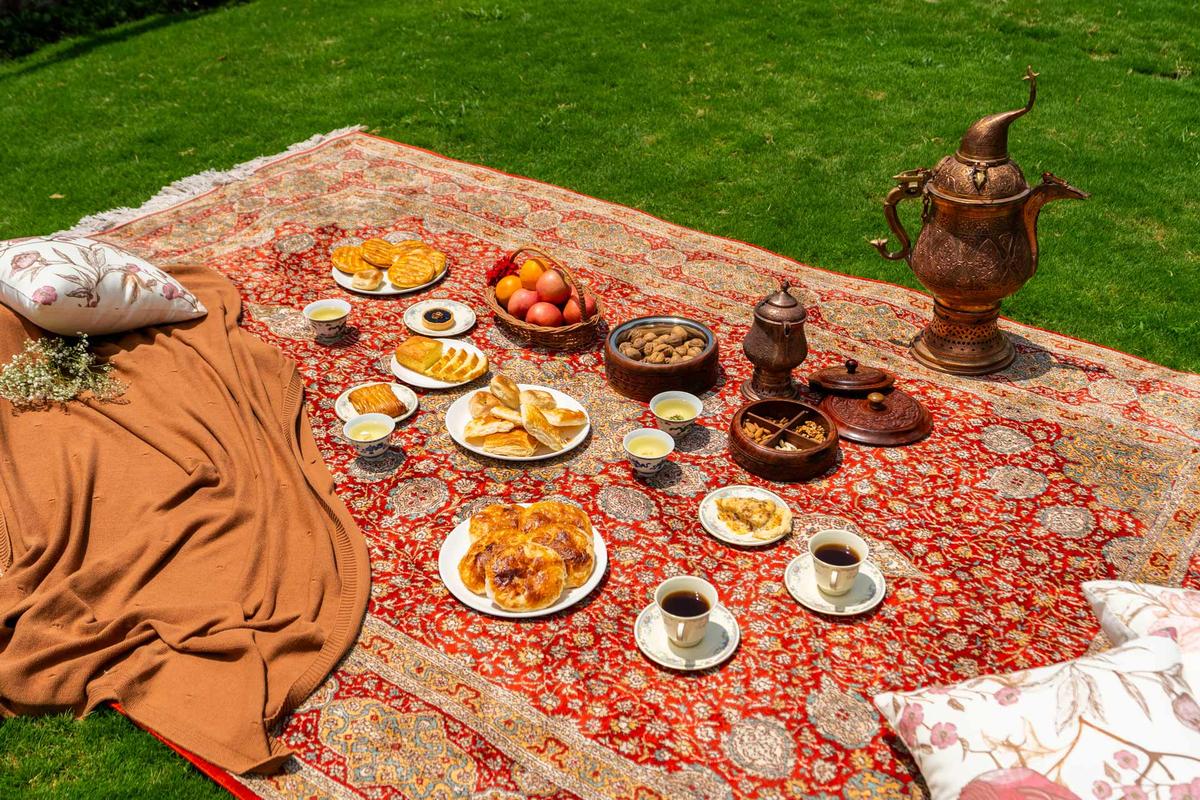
(775, 123)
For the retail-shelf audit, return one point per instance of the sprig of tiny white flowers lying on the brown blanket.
(56, 370)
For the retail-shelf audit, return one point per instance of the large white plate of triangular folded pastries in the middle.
(515, 422)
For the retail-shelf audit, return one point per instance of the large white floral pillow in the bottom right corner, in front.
(1121, 725)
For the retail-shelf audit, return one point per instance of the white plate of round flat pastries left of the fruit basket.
(379, 267)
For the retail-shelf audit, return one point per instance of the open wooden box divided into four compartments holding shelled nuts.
(783, 440)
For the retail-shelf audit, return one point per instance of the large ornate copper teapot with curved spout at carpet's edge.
(979, 243)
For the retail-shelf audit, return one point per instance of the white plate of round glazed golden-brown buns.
(524, 560)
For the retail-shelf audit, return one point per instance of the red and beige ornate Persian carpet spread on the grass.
(1076, 464)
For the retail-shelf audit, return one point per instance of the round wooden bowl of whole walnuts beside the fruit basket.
(649, 356)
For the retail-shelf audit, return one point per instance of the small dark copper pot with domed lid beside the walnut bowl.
(776, 345)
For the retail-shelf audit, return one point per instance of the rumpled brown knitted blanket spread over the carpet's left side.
(179, 551)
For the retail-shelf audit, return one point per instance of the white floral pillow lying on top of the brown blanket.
(74, 285)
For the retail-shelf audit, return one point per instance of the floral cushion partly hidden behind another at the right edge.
(1127, 611)
